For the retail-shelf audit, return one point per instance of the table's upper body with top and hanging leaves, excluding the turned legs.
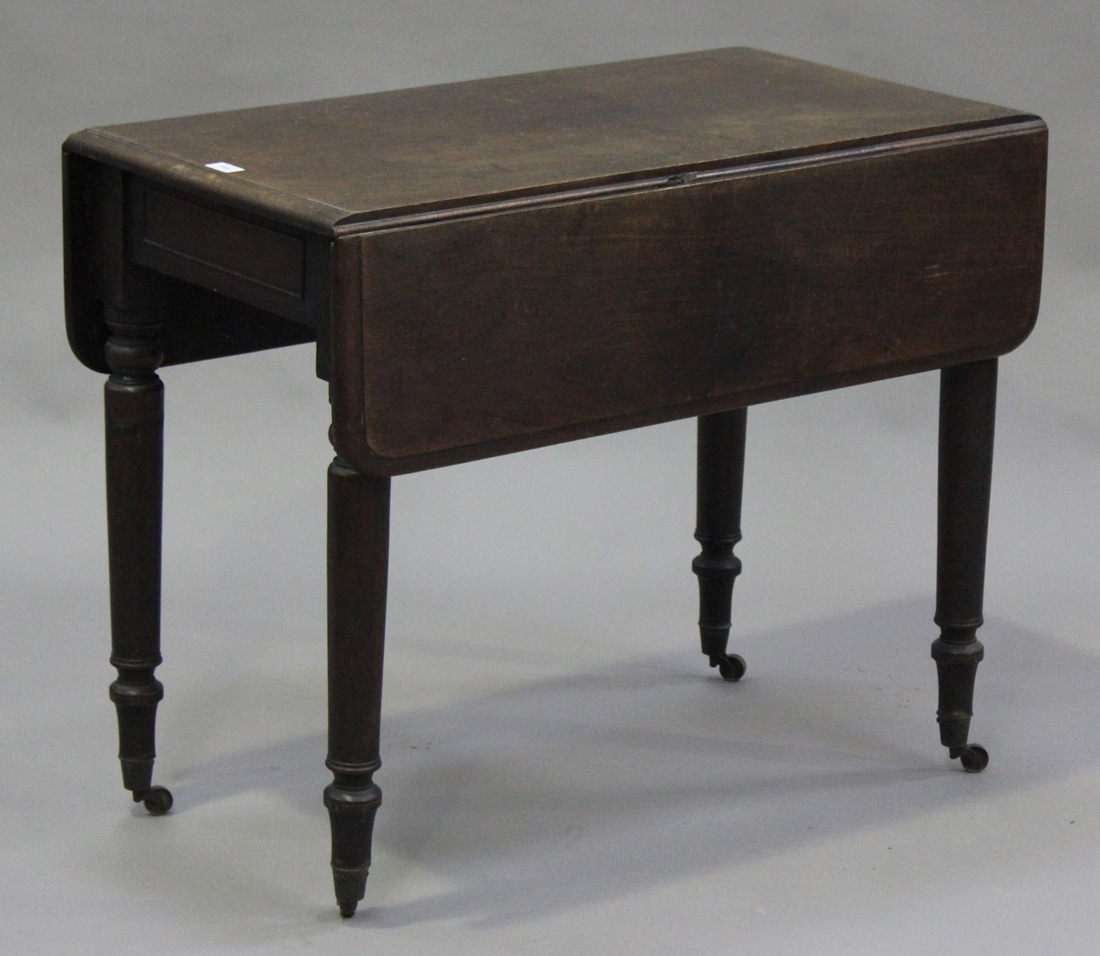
(521, 284)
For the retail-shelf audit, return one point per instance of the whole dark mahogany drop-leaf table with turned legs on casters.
(503, 265)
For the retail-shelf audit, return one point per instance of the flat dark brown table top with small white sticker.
(355, 163)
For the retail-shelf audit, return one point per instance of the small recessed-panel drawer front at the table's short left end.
(238, 259)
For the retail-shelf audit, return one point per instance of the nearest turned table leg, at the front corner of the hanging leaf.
(359, 544)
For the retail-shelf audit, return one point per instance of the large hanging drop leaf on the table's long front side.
(533, 326)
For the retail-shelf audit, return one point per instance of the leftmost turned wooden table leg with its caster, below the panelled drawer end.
(134, 401)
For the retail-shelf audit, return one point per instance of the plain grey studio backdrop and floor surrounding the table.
(563, 774)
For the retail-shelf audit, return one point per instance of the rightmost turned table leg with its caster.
(967, 406)
